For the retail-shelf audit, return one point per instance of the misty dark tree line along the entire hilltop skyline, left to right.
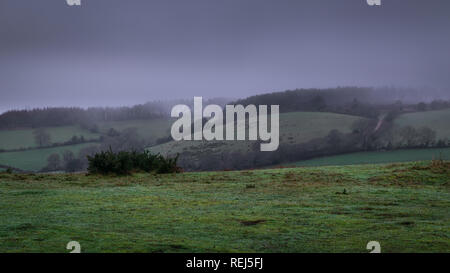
(359, 101)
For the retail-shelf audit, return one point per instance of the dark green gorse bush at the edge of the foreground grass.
(122, 163)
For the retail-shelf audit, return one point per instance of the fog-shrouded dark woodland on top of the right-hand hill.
(358, 101)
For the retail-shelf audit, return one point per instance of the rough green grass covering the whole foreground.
(405, 207)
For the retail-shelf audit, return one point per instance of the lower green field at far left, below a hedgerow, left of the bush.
(34, 160)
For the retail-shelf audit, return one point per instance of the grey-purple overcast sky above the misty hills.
(122, 52)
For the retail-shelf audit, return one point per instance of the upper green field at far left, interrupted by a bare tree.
(16, 139)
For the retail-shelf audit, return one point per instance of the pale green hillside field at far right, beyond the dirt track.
(436, 120)
